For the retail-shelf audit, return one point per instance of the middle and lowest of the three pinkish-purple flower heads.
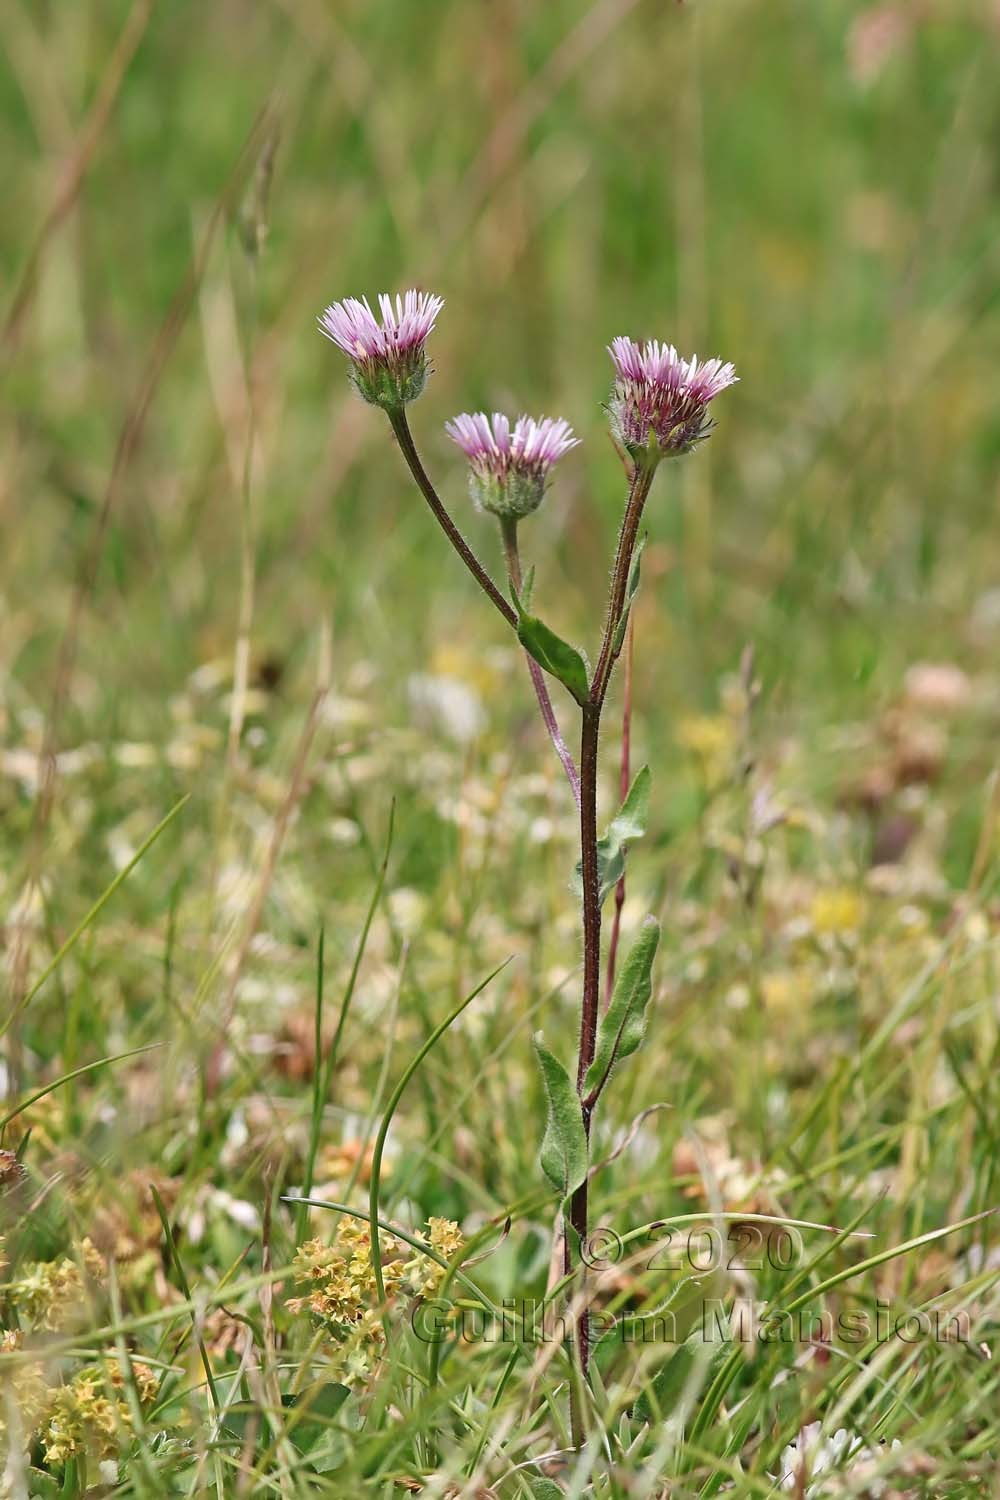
(509, 469)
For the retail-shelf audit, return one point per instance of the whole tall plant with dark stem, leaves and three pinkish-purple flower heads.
(659, 409)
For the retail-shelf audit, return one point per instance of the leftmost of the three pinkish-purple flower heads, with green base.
(389, 362)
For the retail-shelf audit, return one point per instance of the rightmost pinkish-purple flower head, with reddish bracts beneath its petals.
(660, 401)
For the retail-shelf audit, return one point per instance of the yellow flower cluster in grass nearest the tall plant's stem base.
(344, 1298)
